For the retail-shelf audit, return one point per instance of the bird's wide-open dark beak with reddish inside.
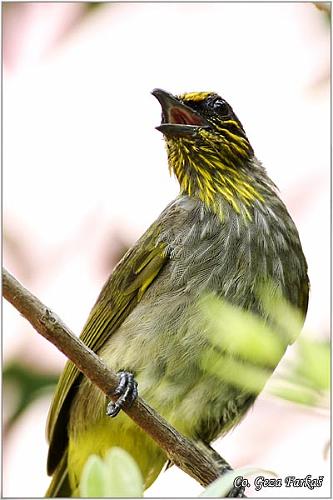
(178, 120)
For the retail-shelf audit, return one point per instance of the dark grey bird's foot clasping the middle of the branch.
(127, 390)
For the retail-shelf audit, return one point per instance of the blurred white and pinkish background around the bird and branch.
(85, 173)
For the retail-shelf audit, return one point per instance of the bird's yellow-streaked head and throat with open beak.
(208, 150)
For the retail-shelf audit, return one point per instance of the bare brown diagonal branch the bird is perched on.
(196, 461)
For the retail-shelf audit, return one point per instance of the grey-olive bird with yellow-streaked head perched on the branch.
(227, 233)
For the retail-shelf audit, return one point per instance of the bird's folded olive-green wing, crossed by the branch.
(120, 294)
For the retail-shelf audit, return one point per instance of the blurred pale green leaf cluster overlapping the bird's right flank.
(244, 349)
